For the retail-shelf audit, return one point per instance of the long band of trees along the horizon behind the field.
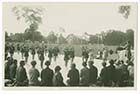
(110, 37)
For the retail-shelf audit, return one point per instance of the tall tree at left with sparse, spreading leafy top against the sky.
(33, 17)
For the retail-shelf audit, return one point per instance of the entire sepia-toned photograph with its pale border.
(87, 45)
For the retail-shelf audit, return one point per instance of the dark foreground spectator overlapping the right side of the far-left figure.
(13, 69)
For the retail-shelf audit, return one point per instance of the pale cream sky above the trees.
(75, 18)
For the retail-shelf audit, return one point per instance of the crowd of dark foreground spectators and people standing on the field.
(114, 73)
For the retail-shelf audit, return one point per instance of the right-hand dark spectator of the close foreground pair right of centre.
(93, 73)
